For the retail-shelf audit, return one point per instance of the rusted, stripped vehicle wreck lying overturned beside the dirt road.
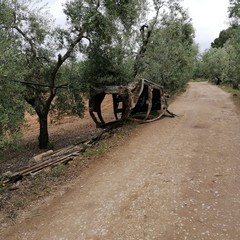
(144, 101)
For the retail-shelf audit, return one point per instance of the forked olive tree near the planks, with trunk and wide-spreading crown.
(45, 49)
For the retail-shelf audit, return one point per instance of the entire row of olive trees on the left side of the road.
(118, 40)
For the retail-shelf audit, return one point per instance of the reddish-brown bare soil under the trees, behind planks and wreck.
(62, 133)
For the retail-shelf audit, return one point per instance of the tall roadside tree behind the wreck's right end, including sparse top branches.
(170, 51)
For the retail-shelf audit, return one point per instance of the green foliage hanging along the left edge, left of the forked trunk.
(11, 102)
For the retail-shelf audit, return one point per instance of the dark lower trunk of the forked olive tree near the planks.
(43, 135)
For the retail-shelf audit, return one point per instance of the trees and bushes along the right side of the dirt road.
(220, 64)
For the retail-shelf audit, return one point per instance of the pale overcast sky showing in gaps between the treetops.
(209, 17)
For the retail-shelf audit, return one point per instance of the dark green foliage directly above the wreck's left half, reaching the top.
(110, 29)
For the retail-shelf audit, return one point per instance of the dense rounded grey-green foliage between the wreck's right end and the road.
(171, 54)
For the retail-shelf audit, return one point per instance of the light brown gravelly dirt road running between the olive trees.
(174, 179)
